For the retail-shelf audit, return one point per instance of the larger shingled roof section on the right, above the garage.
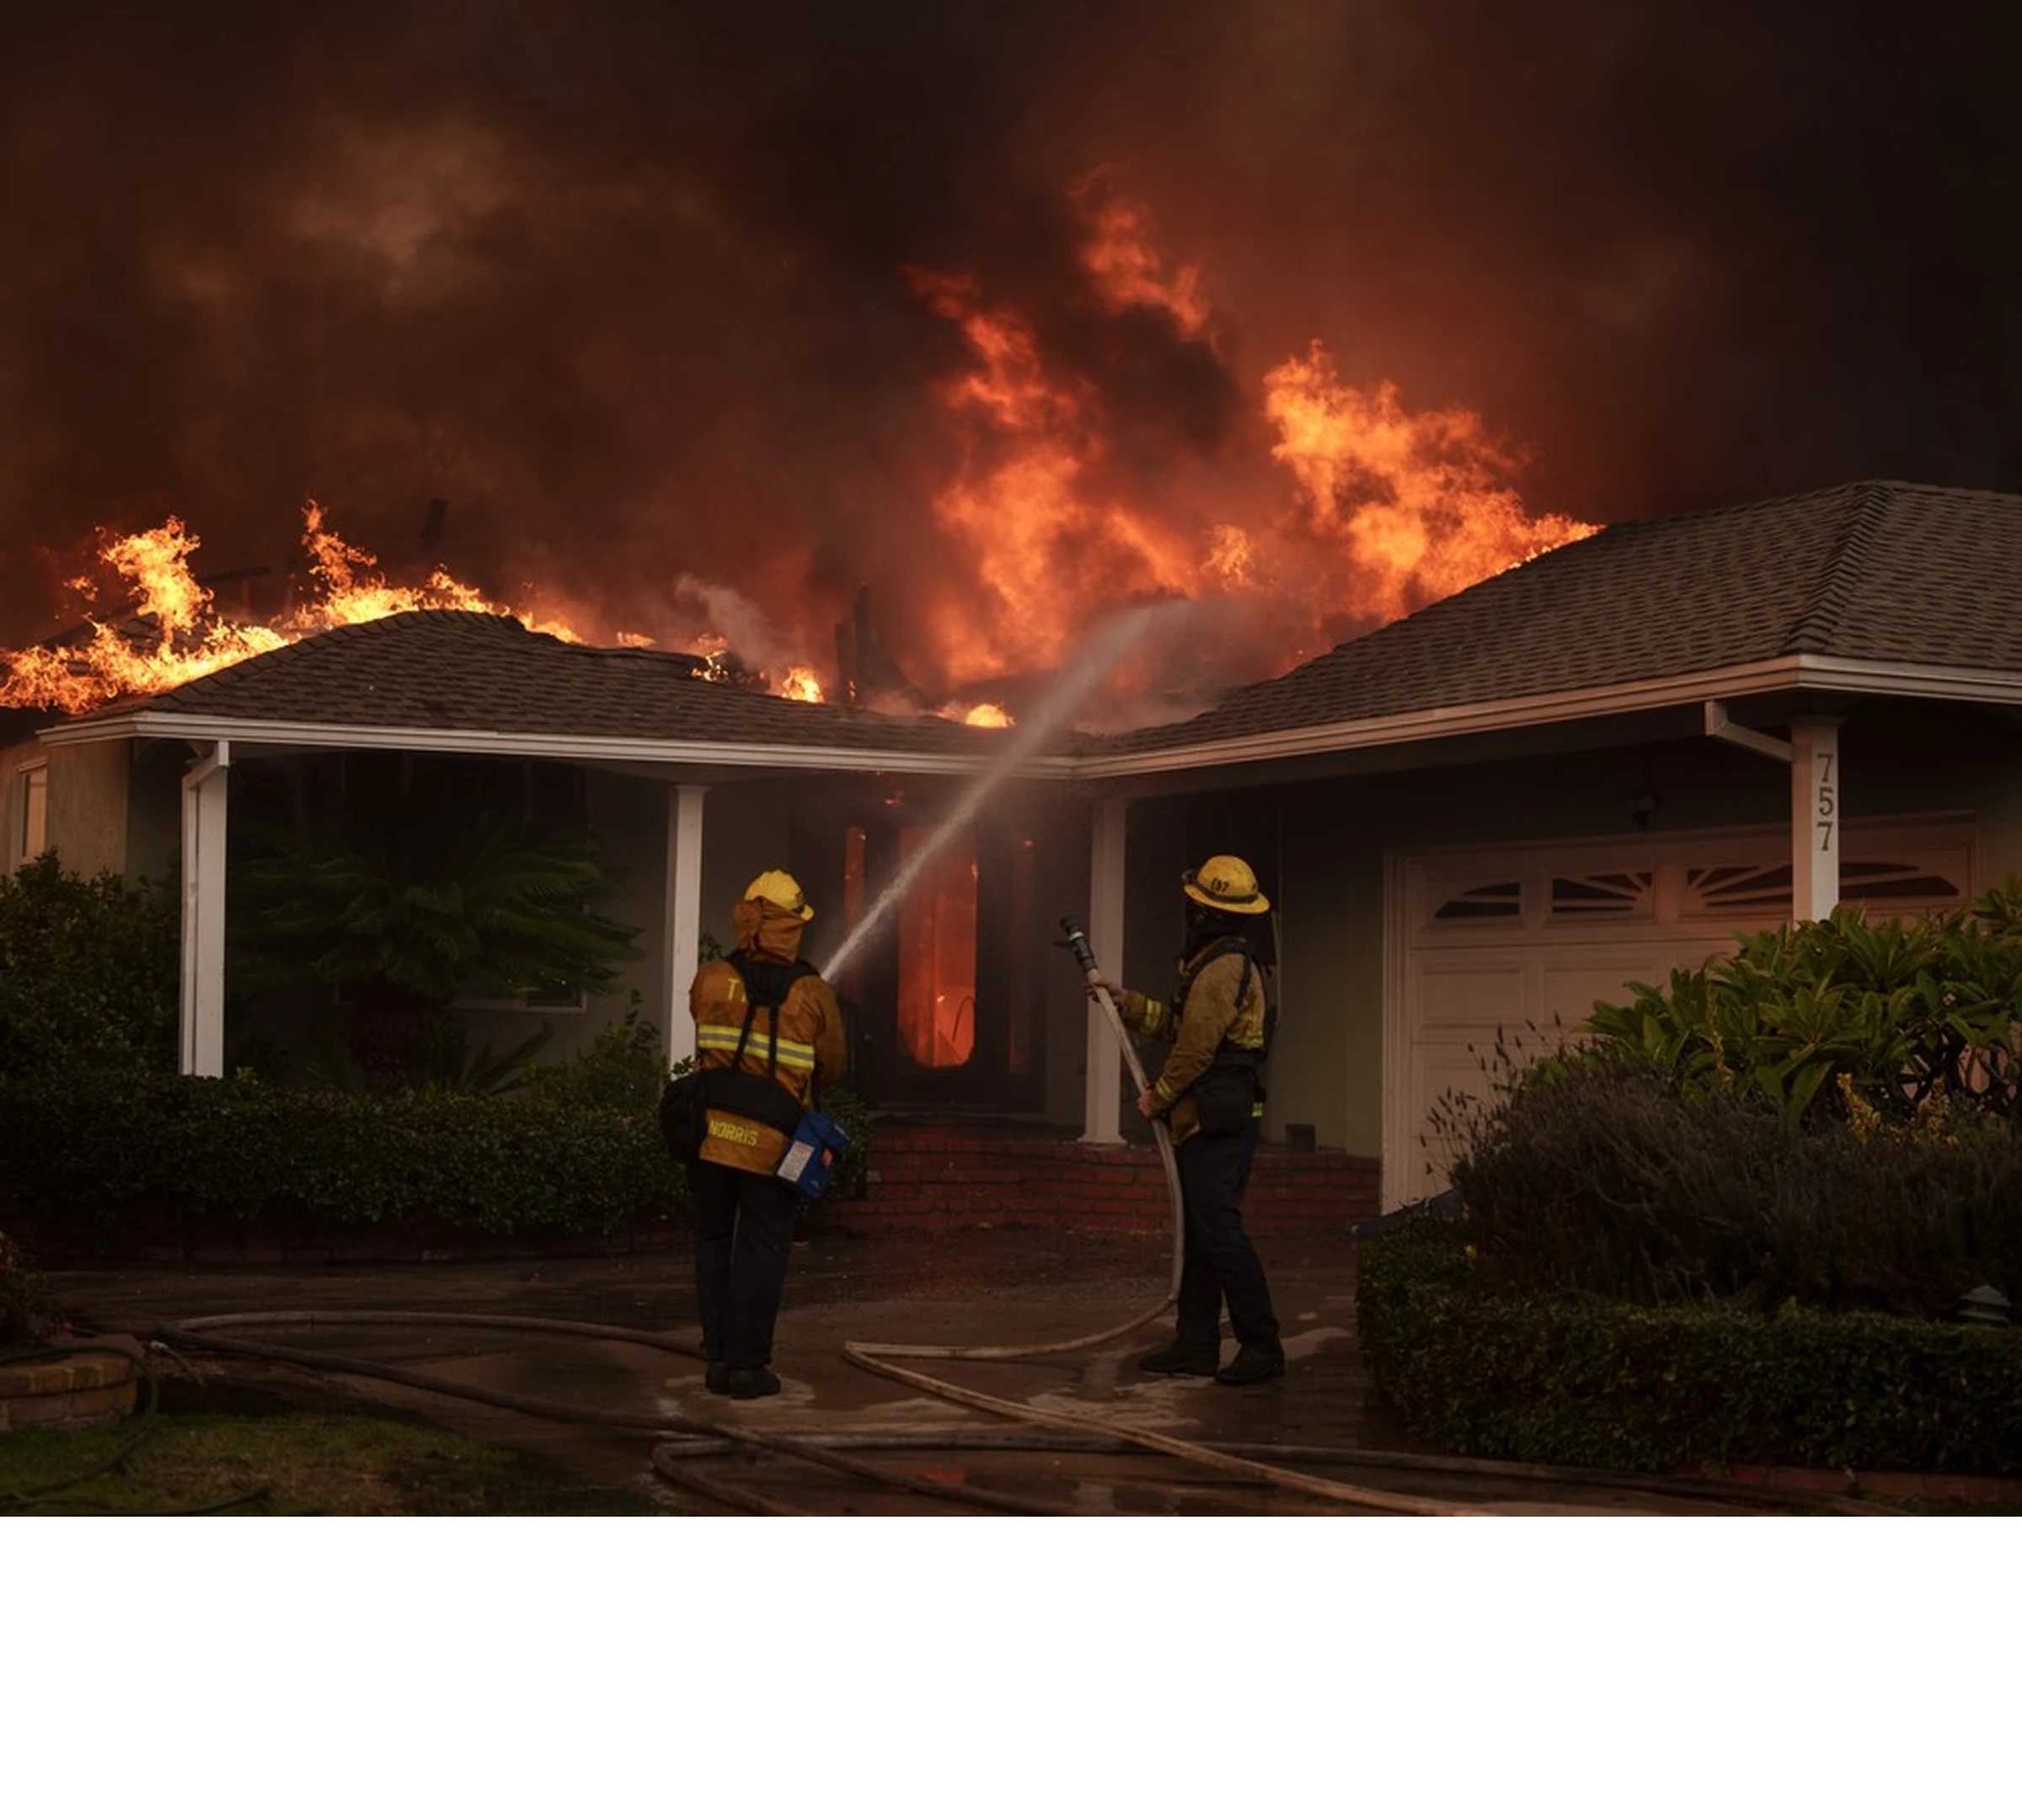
(1871, 571)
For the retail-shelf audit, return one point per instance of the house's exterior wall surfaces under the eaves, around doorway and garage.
(1319, 848)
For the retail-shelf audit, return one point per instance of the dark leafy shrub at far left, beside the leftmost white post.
(88, 972)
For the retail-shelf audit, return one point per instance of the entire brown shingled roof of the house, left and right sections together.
(1881, 573)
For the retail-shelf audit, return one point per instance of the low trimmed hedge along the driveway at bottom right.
(1586, 1382)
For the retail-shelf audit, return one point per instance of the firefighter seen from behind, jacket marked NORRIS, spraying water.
(773, 1024)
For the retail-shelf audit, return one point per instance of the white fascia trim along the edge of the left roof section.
(416, 739)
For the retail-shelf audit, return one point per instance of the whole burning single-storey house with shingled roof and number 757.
(1479, 818)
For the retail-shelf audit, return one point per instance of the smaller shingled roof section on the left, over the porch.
(484, 674)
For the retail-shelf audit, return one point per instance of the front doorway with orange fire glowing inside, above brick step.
(947, 994)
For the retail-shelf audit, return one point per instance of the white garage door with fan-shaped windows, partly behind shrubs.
(1513, 945)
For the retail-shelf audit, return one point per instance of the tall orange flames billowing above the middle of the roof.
(1388, 509)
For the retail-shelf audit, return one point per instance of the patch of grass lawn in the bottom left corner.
(288, 1465)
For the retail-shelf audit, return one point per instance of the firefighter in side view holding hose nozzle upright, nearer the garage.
(1212, 1097)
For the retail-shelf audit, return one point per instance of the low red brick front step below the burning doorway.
(974, 1174)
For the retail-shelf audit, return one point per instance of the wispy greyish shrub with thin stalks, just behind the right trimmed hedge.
(1592, 1174)
